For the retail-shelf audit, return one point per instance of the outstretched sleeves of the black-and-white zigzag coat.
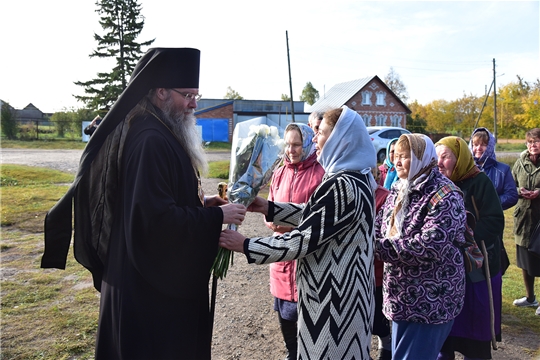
(326, 217)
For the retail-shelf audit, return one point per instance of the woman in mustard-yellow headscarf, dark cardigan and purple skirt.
(471, 333)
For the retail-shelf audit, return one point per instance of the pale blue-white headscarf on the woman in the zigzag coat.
(349, 147)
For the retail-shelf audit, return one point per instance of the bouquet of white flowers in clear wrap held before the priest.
(256, 152)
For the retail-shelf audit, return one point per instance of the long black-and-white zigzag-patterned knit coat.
(333, 243)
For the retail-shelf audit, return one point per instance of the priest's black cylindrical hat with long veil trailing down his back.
(158, 68)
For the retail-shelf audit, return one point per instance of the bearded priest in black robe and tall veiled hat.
(143, 227)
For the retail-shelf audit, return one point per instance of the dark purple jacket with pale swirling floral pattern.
(424, 275)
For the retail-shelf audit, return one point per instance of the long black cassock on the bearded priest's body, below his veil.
(154, 293)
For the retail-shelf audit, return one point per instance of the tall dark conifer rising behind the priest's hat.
(122, 23)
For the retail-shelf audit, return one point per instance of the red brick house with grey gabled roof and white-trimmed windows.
(371, 98)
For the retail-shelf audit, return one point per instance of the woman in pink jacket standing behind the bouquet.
(295, 181)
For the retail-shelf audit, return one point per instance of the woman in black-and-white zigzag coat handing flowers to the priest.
(332, 241)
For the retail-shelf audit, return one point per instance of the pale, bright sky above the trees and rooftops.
(441, 50)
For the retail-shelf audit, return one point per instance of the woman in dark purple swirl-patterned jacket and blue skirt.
(424, 274)
